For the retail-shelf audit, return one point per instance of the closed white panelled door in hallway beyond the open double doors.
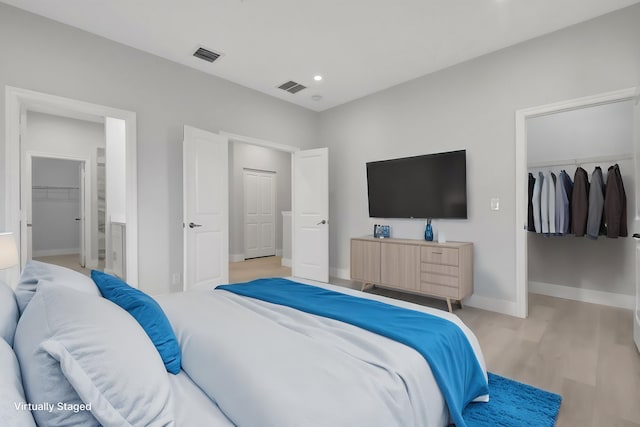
(259, 213)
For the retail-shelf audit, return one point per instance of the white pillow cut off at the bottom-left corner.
(13, 408)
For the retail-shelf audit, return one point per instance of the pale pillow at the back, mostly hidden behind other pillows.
(35, 271)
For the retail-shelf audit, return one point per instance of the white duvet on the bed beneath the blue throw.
(270, 365)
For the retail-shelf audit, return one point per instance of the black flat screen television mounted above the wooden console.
(428, 186)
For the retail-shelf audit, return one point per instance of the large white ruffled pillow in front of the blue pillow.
(78, 348)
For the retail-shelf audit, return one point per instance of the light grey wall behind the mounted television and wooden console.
(472, 106)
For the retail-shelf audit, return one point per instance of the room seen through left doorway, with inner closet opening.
(63, 177)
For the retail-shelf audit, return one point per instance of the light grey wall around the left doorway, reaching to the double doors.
(57, 59)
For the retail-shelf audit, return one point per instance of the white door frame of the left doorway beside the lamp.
(17, 102)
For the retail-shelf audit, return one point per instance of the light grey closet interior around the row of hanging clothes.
(569, 265)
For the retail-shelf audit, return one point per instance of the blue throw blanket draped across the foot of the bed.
(442, 343)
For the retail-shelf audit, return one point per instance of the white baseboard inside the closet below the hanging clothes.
(584, 295)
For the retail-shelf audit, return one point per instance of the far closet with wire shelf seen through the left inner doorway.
(54, 228)
